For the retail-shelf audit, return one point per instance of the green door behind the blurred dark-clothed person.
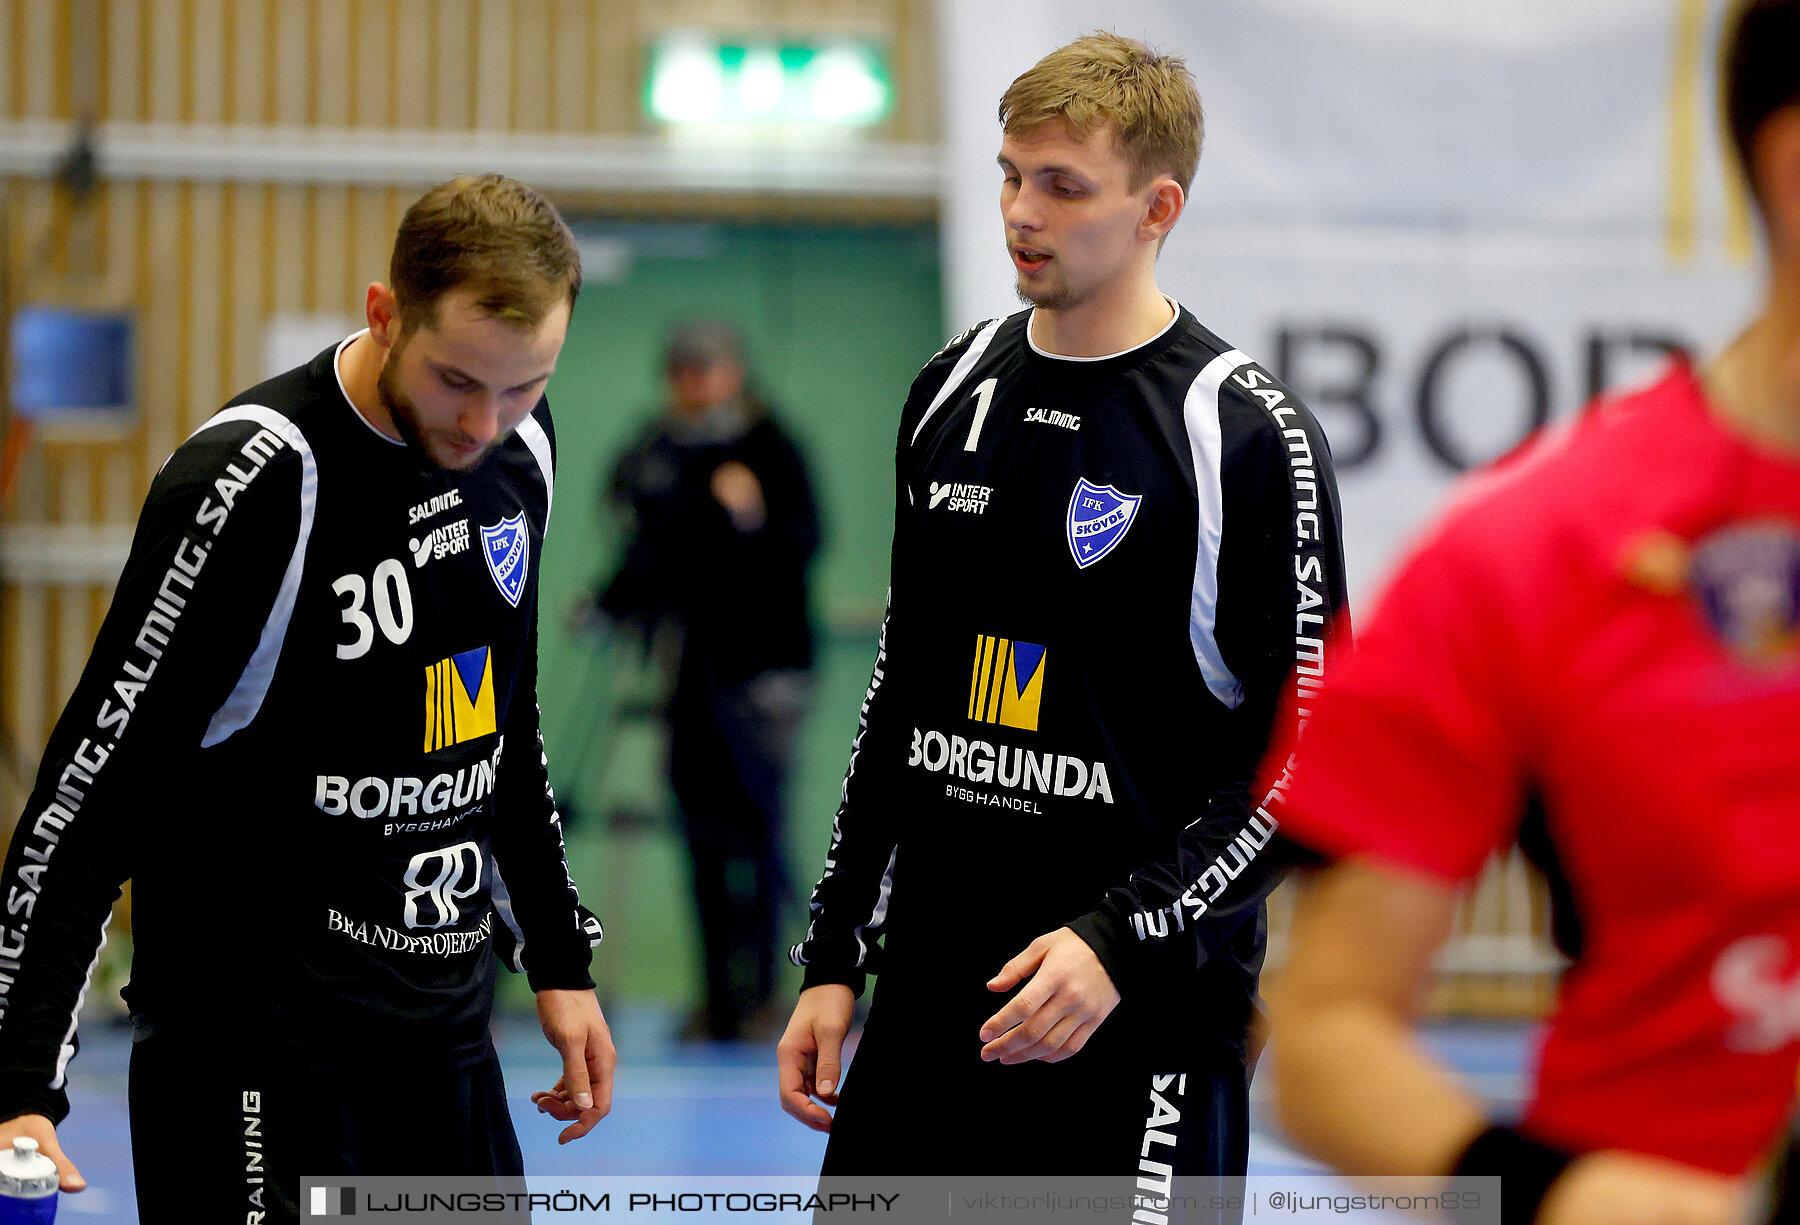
(838, 323)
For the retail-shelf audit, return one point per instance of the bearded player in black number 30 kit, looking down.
(309, 735)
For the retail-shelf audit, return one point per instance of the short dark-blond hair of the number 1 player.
(1104, 80)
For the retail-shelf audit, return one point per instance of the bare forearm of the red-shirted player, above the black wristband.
(1354, 1091)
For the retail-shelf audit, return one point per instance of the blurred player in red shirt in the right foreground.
(1596, 654)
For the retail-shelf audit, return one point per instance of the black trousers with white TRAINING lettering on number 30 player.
(224, 1129)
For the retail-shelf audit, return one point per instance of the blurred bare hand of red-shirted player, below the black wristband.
(1614, 1188)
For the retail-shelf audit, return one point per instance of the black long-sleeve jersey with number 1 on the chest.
(1104, 575)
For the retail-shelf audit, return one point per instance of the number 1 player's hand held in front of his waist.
(1059, 1010)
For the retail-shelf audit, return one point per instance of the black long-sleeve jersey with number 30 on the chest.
(309, 733)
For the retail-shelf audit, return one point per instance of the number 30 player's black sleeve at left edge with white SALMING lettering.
(206, 568)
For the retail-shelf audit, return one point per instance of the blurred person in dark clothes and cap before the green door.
(723, 533)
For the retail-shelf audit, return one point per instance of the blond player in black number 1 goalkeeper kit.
(1115, 535)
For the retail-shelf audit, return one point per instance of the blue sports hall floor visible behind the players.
(679, 1109)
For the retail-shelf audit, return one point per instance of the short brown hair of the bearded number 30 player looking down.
(494, 235)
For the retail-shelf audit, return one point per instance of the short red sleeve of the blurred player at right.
(1416, 749)
